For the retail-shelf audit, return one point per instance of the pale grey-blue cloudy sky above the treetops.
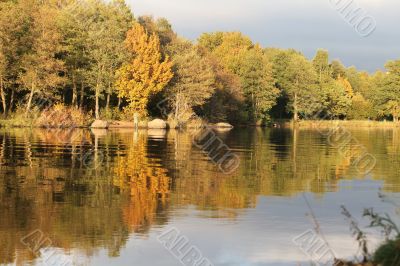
(305, 25)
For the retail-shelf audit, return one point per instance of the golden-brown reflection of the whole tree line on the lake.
(130, 182)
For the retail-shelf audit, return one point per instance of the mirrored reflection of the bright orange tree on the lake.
(144, 178)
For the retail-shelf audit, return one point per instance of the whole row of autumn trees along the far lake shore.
(95, 56)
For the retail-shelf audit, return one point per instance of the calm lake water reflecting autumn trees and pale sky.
(104, 197)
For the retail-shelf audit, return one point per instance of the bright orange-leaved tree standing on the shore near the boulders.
(146, 73)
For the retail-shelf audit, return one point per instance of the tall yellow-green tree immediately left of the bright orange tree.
(106, 32)
